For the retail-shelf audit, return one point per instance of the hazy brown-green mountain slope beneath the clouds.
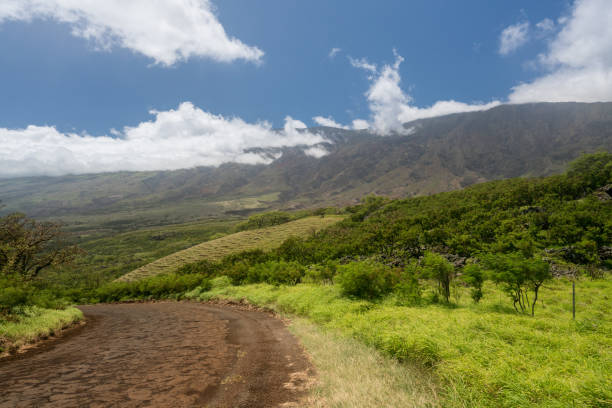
(439, 154)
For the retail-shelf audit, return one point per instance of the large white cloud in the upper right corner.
(578, 60)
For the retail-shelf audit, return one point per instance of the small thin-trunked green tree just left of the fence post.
(519, 277)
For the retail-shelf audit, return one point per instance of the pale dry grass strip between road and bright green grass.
(353, 375)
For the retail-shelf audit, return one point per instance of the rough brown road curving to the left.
(168, 354)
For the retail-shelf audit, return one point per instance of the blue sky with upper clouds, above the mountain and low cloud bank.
(51, 76)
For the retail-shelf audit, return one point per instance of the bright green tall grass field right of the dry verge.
(484, 355)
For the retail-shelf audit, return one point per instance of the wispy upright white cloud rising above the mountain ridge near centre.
(390, 106)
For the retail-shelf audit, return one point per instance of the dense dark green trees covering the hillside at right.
(526, 215)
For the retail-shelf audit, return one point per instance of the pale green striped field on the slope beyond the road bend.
(265, 238)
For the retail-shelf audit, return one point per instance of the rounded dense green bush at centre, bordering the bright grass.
(366, 280)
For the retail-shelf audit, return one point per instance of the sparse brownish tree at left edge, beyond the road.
(28, 246)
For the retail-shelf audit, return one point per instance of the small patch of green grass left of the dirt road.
(34, 323)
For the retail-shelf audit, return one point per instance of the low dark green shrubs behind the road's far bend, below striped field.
(157, 287)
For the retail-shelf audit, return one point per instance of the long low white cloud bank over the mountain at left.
(181, 138)
